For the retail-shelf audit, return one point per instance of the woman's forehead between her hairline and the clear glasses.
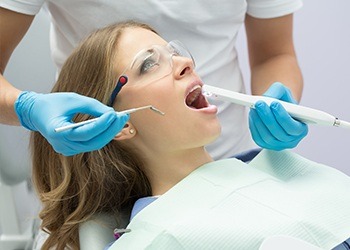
(132, 41)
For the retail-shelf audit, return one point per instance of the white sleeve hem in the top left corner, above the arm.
(29, 7)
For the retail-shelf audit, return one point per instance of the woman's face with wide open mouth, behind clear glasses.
(189, 120)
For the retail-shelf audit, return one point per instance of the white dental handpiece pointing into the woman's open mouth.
(301, 113)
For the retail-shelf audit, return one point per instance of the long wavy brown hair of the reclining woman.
(109, 180)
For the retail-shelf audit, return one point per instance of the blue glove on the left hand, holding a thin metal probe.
(45, 112)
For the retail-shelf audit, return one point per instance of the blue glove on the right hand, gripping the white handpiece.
(272, 127)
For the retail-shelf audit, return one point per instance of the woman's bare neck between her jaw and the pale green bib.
(168, 169)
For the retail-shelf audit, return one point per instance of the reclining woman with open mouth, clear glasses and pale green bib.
(184, 199)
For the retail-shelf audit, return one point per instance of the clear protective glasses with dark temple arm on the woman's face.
(150, 65)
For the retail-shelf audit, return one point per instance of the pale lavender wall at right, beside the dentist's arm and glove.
(322, 38)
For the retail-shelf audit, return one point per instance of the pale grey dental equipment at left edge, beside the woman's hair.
(18, 203)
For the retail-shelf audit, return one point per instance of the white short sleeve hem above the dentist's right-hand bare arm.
(272, 8)
